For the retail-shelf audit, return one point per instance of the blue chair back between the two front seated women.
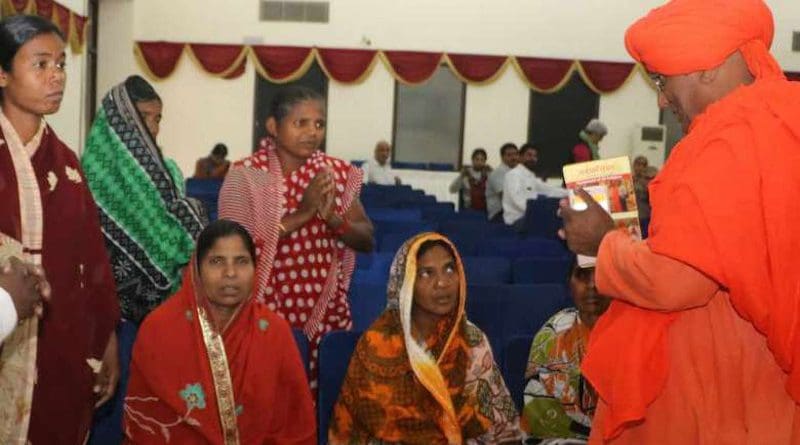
(334, 357)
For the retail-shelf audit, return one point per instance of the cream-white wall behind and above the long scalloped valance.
(201, 110)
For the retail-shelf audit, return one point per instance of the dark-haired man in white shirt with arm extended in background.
(522, 184)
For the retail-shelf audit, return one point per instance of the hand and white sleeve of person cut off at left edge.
(22, 289)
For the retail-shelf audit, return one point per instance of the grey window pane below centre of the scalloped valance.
(429, 121)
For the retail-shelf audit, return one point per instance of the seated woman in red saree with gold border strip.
(213, 365)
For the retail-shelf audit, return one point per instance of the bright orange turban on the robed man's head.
(685, 36)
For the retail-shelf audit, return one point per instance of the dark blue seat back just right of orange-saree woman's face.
(510, 310)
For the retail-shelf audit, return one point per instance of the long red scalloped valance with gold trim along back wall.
(283, 64)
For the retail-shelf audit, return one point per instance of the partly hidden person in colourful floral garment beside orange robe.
(559, 401)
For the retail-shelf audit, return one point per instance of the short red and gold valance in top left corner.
(71, 24)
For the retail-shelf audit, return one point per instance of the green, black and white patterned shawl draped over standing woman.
(149, 224)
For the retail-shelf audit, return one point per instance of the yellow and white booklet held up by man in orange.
(610, 183)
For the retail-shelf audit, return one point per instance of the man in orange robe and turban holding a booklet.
(700, 345)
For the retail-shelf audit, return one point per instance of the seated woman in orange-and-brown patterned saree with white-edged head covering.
(423, 374)
